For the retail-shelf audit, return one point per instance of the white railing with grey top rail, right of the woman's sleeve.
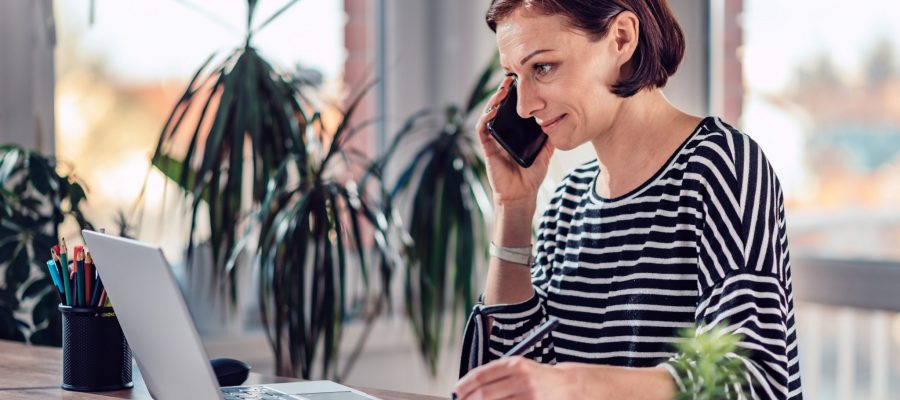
(848, 316)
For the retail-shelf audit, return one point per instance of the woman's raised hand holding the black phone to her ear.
(512, 184)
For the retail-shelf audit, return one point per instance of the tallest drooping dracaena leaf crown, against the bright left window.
(239, 112)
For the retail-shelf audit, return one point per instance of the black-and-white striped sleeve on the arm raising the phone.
(513, 322)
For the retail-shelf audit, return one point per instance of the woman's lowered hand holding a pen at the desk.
(513, 377)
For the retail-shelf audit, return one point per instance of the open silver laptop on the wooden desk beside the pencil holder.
(162, 336)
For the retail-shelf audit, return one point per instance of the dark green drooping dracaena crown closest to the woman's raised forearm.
(445, 182)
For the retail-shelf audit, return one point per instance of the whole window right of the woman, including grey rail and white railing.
(822, 96)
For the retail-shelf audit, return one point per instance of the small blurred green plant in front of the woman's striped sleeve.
(708, 366)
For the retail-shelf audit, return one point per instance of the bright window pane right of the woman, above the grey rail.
(822, 97)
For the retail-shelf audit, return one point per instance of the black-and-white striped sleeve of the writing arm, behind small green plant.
(744, 276)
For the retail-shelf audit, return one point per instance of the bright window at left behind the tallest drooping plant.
(119, 77)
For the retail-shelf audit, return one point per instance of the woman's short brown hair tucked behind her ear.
(660, 42)
